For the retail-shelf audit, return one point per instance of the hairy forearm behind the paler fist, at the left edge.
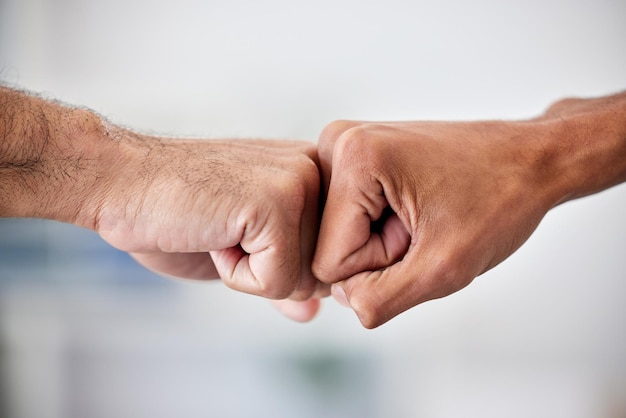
(52, 159)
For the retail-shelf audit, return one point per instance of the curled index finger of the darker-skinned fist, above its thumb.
(347, 242)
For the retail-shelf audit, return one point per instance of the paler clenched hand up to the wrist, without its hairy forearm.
(246, 211)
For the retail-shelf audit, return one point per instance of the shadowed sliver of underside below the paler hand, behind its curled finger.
(179, 265)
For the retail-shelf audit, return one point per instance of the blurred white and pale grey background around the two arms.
(85, 332)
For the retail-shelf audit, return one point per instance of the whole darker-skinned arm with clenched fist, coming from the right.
(416, 210)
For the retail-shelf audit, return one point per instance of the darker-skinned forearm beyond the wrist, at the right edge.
(586, 145)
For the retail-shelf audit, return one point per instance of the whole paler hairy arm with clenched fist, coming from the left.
(245, 211)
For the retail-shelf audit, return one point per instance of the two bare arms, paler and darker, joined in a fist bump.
(384, 216)
